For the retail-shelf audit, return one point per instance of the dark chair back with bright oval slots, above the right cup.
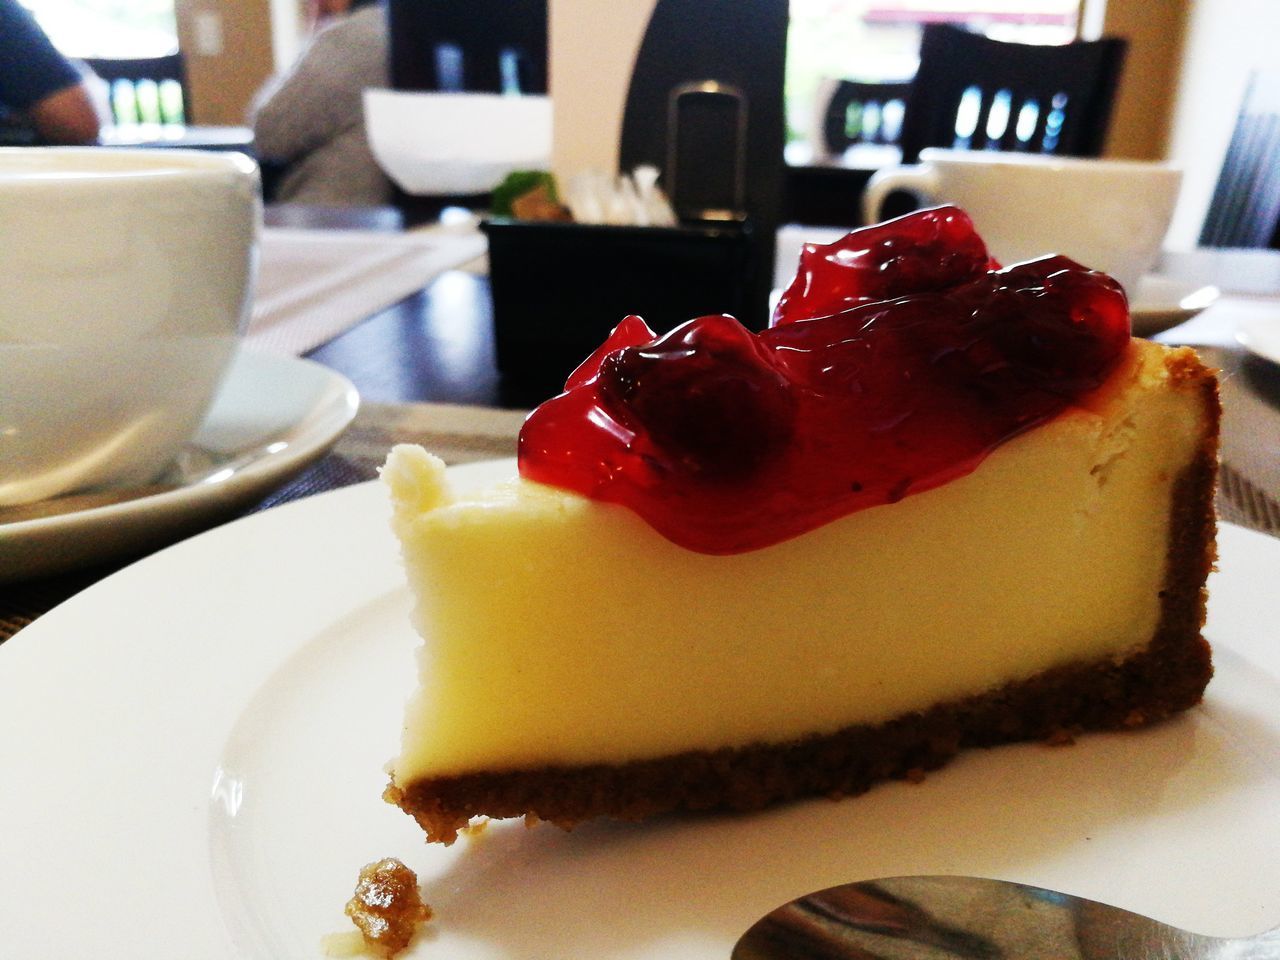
(973, 93)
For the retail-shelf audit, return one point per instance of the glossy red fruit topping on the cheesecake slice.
(726, 441)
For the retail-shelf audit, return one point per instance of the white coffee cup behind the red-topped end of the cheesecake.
(1109, 216)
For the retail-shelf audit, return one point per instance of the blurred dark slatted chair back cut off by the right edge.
(1245, 211)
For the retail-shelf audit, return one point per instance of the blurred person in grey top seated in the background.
(309, 125)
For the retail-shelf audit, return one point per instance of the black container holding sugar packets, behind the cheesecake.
(560, 289)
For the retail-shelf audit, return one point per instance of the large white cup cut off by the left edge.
(126, 278)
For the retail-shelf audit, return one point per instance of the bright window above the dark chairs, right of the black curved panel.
(880, 42)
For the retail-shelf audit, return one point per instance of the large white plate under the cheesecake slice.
(191, 755)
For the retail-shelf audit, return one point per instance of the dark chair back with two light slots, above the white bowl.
(496, 47)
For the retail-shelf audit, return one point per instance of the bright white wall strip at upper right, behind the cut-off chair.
(1226, 42)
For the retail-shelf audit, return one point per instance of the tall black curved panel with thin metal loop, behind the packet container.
(706, 108)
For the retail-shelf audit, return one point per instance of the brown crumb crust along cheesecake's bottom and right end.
(1165, 679)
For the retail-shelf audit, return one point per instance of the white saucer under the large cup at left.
(272, 418)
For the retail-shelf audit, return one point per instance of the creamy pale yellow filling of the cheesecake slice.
(531, 598)
